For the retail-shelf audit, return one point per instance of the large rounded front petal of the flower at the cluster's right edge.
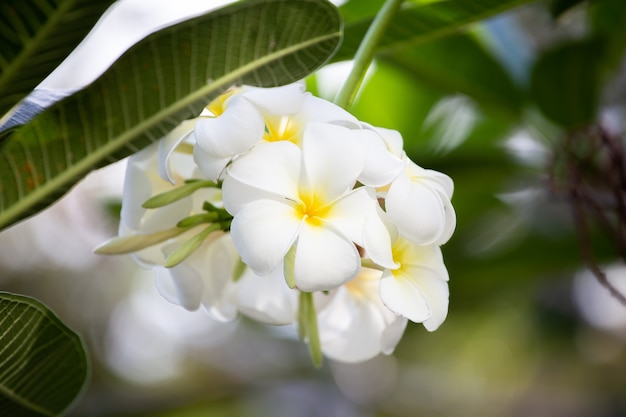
(417, 210)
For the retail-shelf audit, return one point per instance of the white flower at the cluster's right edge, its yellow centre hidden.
(418, 202)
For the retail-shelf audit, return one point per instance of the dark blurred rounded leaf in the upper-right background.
(565, 82)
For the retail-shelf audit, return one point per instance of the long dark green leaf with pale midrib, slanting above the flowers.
(166, 78)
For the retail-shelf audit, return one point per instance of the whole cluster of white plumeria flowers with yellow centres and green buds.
(283, 207)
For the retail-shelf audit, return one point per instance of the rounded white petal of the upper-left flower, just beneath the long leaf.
(235, 131)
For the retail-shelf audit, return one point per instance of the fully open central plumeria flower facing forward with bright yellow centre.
(284, 197)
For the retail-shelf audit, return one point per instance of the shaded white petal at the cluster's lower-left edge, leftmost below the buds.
(179, 285)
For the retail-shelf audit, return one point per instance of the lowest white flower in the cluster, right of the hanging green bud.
(354, 324)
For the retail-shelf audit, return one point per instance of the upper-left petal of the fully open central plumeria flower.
(272, 167)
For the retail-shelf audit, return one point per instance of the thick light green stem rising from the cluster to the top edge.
(365, 54)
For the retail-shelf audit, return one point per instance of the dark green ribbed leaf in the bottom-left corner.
(43, 364)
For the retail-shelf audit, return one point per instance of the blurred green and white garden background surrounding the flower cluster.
(500, 107)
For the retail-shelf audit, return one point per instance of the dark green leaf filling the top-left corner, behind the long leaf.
(35, 36)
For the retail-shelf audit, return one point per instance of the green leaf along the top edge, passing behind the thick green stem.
(416, 22)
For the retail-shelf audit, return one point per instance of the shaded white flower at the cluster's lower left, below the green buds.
(204, 279)
